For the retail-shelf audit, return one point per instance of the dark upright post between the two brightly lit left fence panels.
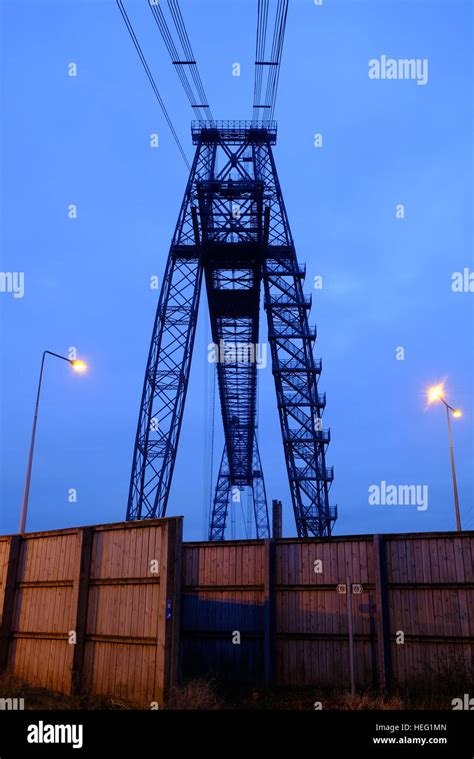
(80, 595)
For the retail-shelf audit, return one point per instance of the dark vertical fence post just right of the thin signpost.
(382, 614)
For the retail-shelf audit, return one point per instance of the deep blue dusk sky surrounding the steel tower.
(387, 282)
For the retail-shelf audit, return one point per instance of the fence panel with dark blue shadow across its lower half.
(223, 593)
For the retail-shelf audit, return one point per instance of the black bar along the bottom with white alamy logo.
(345, 733)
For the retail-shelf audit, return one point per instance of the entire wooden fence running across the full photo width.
(260, 612)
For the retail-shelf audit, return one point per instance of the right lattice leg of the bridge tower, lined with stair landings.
(295, 370)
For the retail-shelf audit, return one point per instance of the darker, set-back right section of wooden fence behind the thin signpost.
(414, 616)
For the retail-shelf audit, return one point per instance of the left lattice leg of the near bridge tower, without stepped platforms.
(169, 359)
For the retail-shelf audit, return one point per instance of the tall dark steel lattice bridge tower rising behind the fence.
(233, 228)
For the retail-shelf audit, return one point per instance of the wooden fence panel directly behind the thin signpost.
(312, 622)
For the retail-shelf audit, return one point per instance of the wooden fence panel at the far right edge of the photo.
(431, 598)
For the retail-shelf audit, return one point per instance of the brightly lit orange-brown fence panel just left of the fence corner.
(126, 617)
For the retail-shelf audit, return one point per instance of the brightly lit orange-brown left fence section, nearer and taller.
(93, 609)
